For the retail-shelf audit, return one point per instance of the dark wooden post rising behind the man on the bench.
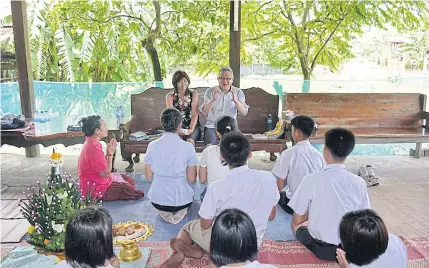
(235, 39)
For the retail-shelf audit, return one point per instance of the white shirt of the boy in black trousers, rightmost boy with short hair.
(328, 195)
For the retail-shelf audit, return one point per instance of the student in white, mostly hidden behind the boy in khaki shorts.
(212, 166)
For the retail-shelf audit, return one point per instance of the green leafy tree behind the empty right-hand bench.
(311, 33)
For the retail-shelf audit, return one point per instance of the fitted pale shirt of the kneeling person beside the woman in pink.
(169, 156)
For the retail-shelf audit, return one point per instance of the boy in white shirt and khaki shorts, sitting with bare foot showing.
(252, 191)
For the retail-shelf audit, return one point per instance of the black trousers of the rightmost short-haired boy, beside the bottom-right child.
(322, 250)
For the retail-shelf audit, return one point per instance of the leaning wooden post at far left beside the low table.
(23, 62)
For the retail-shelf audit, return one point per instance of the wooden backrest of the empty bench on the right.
(359, 110)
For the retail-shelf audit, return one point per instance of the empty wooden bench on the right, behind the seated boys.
(374, 118)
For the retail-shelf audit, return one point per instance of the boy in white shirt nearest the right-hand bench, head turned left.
(297, 162)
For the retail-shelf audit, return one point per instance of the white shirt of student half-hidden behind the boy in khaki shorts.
(210, 158)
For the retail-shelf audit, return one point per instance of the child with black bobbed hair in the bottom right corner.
(367, 244)
